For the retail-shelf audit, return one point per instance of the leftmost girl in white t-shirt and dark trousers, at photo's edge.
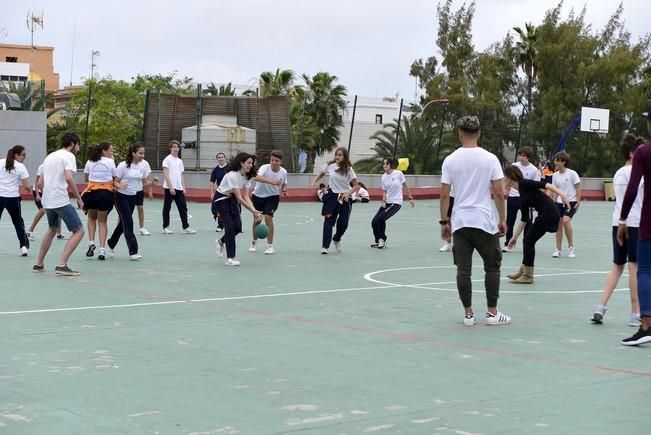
(13, 174)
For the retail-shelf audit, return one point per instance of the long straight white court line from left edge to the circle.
(190, 301)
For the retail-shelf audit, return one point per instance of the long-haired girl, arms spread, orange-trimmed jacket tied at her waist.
(337, 203)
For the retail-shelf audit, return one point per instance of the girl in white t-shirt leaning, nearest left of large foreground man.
(393, 182)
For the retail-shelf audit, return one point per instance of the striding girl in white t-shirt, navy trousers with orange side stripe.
(132, 176)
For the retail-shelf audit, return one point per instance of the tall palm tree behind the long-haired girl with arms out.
(324, 105)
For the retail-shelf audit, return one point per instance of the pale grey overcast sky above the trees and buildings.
(368, 44)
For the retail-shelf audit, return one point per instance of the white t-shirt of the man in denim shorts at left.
(55, 187)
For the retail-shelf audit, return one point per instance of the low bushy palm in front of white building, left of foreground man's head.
(418, 140)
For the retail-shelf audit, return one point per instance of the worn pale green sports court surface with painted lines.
(362, 341)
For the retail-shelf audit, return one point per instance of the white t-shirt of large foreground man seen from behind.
(471, 171)
